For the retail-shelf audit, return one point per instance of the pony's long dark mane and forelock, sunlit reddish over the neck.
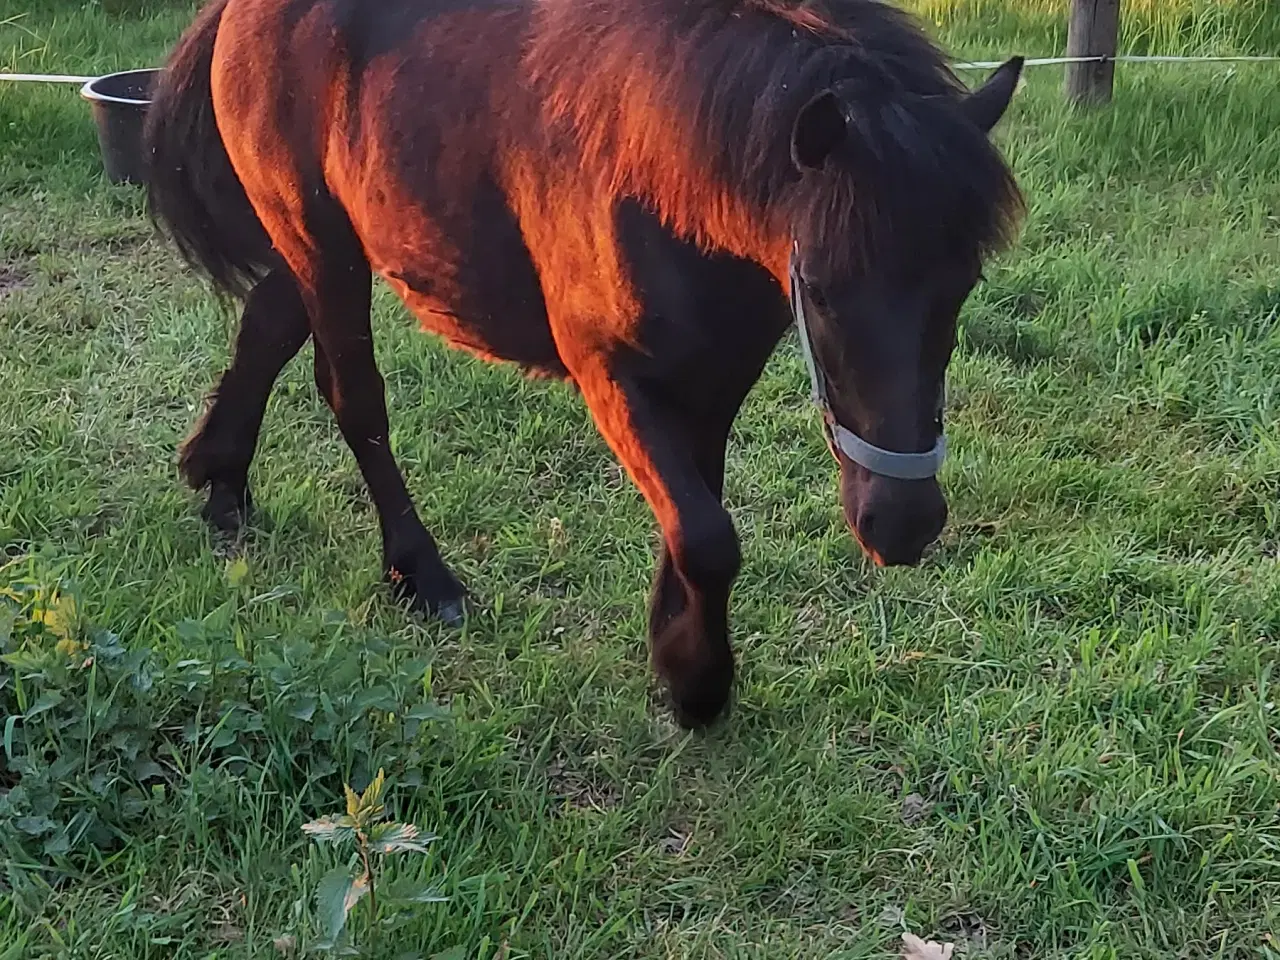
(726, 79)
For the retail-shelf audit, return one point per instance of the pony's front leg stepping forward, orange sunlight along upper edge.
(670, 458)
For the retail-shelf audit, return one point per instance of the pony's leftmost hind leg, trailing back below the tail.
(218, 452)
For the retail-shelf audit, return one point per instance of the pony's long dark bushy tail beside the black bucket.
(194, 194)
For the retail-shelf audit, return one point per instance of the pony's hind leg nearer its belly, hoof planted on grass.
(336, 284)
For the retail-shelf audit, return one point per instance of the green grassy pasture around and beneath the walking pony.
(1058, 738)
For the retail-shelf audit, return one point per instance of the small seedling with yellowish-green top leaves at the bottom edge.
(346, 885)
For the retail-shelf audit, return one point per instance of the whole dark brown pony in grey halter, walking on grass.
(623, 194)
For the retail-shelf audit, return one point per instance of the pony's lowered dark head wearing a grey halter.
(899, 200)
